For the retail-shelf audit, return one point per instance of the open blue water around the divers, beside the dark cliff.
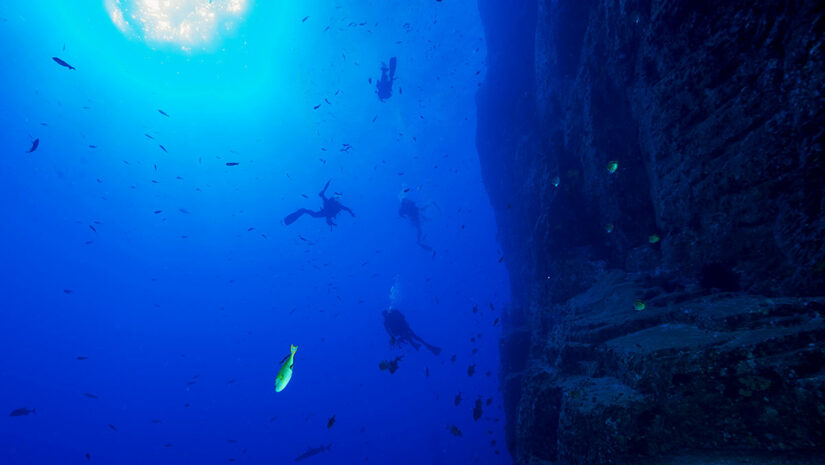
(150, 287)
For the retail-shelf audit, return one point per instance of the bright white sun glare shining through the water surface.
(183, 23)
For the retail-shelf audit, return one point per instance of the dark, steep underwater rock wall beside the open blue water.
(658, 172)
